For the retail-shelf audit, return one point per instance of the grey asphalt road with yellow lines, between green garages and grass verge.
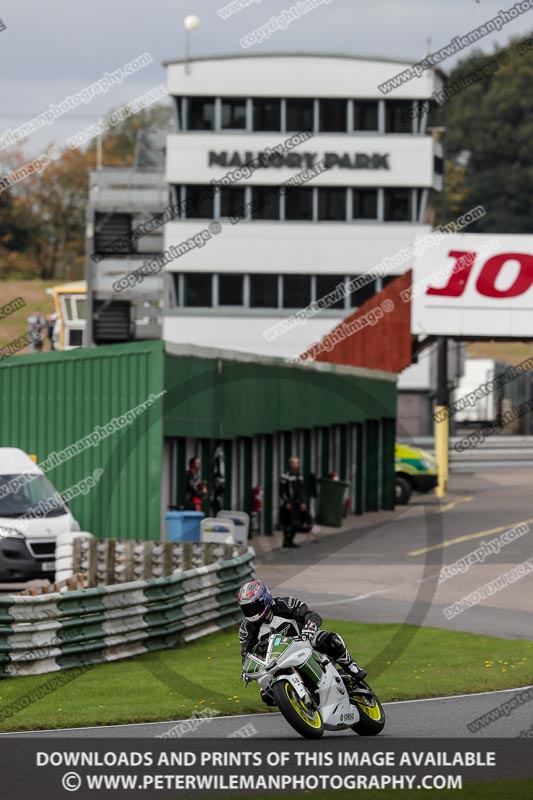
(385, 566)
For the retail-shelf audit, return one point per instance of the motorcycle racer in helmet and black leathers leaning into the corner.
(288, 615)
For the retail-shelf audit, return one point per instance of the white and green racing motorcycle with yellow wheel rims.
(310, 690)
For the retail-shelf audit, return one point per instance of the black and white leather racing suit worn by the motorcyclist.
(288, 616)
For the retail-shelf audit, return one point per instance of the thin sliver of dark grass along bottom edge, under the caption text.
(493, 790)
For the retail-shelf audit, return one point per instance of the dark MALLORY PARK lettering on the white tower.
(299, 160)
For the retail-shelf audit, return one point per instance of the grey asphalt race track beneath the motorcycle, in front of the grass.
(433, 718)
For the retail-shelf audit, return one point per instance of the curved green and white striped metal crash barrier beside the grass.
(56, 631)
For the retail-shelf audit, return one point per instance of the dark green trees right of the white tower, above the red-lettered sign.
(493, 119)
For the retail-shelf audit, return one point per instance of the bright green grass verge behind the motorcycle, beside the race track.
(404, 663)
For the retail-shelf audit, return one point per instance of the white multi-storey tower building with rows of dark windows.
(356, 189)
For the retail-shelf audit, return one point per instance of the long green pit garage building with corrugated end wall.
(139, 411)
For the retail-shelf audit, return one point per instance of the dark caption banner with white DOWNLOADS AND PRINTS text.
(144, 768)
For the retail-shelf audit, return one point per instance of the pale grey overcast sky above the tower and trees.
(55, 48)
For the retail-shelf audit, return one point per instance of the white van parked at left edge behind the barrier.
(32, 515)
